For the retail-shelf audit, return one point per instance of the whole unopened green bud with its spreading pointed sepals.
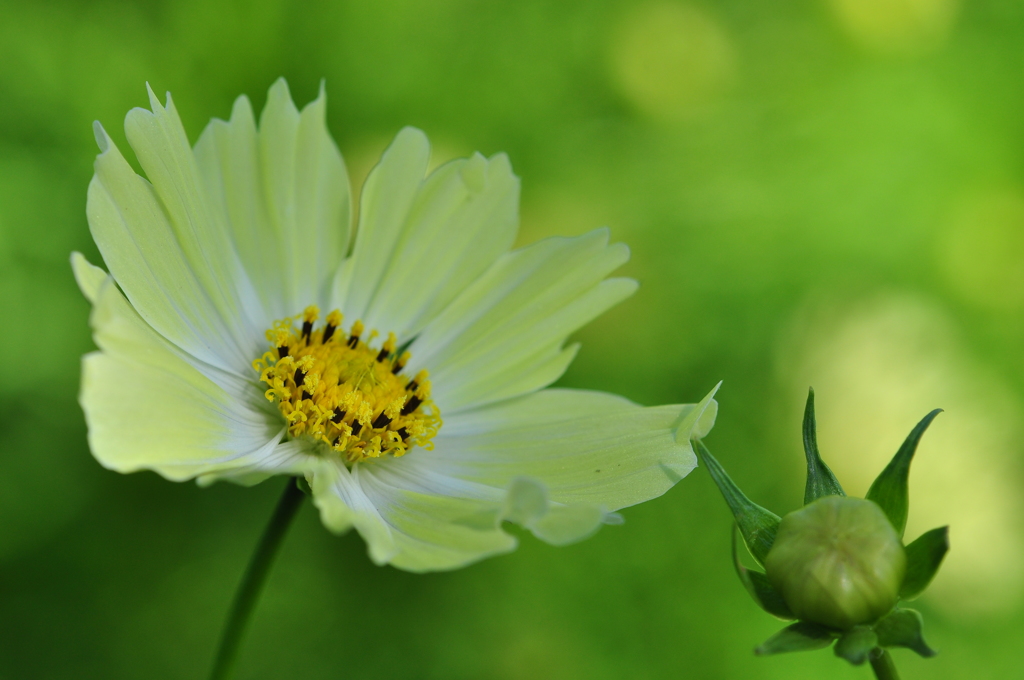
(838, 566)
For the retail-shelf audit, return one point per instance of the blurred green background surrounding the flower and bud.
(816, 192)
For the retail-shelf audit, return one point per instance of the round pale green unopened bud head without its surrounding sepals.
(838, 563)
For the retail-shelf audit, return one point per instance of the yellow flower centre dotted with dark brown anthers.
(345, 393)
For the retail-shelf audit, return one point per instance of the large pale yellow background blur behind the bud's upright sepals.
(877, 370)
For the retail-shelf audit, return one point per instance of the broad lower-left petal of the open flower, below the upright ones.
(149, 407)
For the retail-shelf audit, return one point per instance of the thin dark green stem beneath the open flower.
(252, 583)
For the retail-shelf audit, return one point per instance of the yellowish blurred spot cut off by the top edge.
(898, 27)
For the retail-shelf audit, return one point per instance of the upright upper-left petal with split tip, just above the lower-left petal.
(167, 249)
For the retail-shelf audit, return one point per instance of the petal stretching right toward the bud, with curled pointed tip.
(585, 448)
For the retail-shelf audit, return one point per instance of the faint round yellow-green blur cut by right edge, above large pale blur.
(982, 251)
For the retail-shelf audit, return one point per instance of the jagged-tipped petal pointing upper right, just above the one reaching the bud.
(504, 336)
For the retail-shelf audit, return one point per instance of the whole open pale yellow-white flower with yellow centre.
(207, 369)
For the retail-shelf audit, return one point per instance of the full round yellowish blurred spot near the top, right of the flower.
(672, 62)
